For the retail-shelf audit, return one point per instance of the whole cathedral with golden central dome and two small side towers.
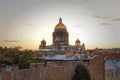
(60, 42)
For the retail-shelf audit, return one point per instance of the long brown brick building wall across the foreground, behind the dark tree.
(55, 70)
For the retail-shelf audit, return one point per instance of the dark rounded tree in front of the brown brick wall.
(81, 73)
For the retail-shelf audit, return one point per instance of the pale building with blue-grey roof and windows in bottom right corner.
(112, 69)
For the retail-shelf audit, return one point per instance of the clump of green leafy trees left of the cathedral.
(21, 58)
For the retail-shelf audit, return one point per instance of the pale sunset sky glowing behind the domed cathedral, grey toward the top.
(26, 22)
